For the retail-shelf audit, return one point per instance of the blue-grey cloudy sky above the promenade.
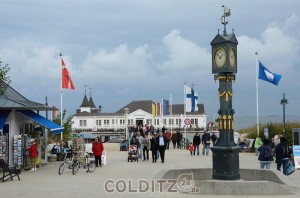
(144, 49)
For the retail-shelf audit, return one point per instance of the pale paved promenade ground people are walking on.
(47, 183)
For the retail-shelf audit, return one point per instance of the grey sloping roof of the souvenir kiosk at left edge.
(11, 99)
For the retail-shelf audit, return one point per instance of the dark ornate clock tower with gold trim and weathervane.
(224, 66)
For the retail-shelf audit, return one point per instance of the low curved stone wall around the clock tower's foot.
(251, 182)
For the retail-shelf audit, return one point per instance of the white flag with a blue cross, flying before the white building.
(191, 99)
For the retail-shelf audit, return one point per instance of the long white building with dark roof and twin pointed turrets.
(91, 119)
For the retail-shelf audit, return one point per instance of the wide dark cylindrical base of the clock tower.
(226, 162)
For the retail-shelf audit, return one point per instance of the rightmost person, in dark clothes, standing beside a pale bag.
(283, 155)
